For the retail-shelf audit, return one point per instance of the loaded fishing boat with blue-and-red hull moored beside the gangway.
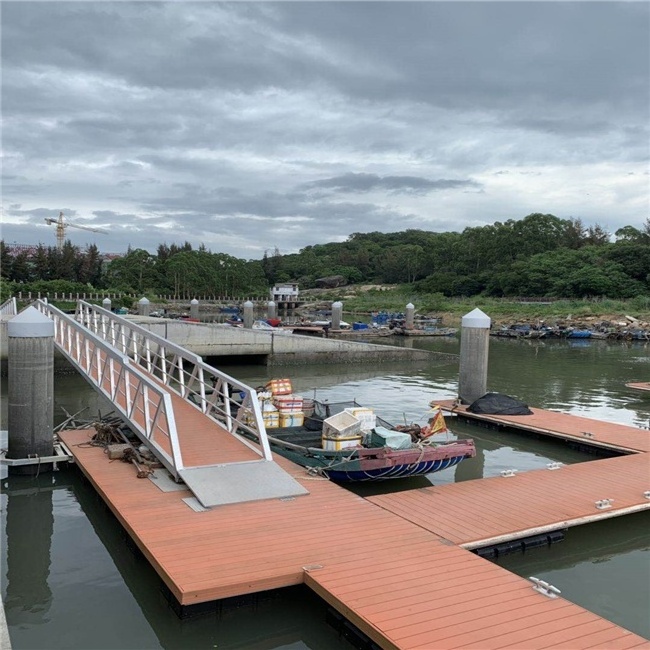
(346, 442)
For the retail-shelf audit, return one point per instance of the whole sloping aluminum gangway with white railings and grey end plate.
(177, 405)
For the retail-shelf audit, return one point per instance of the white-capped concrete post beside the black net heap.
(474, 344)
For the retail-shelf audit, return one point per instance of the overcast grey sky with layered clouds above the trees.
(251, 126)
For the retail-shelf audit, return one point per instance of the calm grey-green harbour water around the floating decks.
(71, 580)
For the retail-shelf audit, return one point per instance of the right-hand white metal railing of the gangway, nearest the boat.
(185, 373)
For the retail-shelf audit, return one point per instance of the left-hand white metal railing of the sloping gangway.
(145, 406)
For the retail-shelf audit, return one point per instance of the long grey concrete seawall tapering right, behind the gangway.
(217, 340)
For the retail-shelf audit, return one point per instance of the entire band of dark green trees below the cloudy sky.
(539, 255)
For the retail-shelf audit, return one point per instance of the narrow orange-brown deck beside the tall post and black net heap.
(597, 433)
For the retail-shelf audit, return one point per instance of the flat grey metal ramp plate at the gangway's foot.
(219, 485)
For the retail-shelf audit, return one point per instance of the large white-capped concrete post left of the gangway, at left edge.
(30, 339)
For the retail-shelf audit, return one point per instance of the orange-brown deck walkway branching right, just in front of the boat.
(488, 511)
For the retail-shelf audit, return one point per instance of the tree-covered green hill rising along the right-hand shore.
(540, 255)
